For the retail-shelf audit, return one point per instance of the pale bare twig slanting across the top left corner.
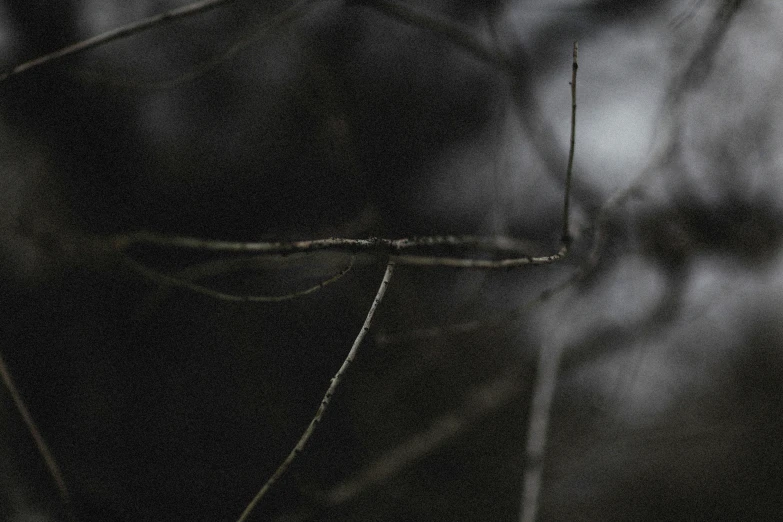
(116, 34)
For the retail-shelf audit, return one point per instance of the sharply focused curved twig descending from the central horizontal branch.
(335, 382)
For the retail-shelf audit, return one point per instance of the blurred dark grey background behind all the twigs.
(161, 404)
